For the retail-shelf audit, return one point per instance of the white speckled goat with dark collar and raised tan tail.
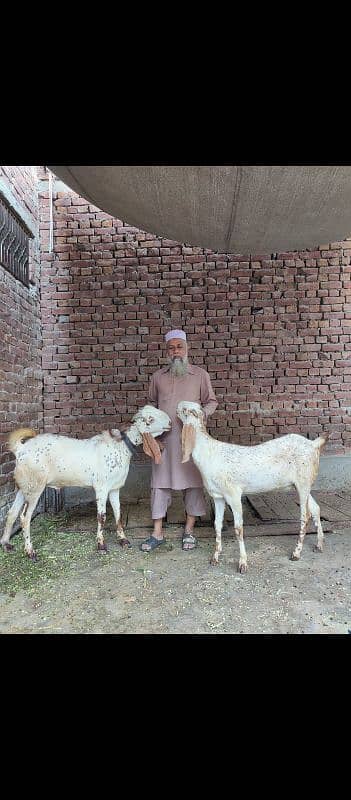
(101, 463)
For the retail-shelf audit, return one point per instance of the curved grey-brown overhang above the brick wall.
(236, 209)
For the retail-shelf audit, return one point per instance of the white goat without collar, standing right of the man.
(230, 470)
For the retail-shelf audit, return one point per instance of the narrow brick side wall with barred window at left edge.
(20, 336)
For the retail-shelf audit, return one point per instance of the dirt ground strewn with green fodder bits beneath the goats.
(72, 589)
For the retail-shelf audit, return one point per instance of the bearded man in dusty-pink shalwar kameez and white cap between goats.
(180, 380)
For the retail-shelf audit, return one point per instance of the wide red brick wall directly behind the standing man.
(273, 331)
